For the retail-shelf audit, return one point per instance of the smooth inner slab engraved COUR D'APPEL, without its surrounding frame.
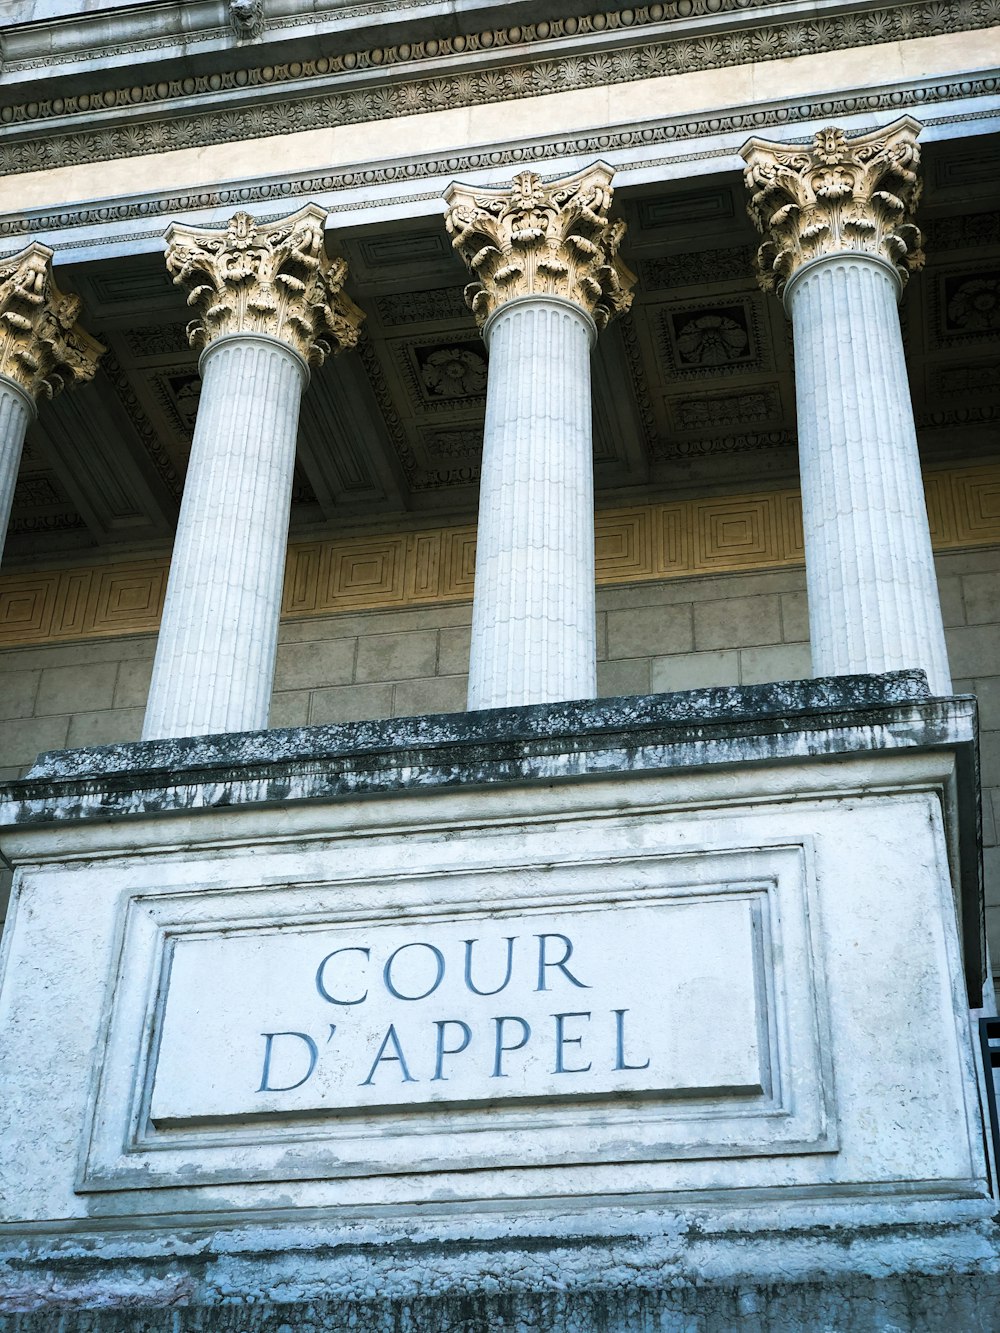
(531, 1006)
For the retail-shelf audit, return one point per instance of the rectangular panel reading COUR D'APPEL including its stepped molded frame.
(625, 1004)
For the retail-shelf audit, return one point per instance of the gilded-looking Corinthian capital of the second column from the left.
(273, 279)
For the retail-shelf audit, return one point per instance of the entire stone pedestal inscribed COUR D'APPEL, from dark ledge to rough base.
(571, 1016)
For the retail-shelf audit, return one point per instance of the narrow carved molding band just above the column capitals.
(375, 177)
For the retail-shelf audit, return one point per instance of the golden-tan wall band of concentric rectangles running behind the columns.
(678, 539)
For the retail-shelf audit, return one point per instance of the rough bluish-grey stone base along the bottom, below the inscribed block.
(670, 1272)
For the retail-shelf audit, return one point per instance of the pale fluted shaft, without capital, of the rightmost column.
(874, 602)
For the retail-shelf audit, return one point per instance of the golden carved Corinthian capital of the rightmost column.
(833, 197)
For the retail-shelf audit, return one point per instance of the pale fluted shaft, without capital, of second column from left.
(215, 657)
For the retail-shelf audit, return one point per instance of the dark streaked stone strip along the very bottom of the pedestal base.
(911, 1303)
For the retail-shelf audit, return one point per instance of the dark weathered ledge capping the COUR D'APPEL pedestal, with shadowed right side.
(781, 723)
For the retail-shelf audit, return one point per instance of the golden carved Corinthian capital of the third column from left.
(542, 241)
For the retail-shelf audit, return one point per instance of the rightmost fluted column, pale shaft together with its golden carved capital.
(839, 246)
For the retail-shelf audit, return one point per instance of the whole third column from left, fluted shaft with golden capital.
(549, 278)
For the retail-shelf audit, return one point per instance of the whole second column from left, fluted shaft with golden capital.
(270, 305)
